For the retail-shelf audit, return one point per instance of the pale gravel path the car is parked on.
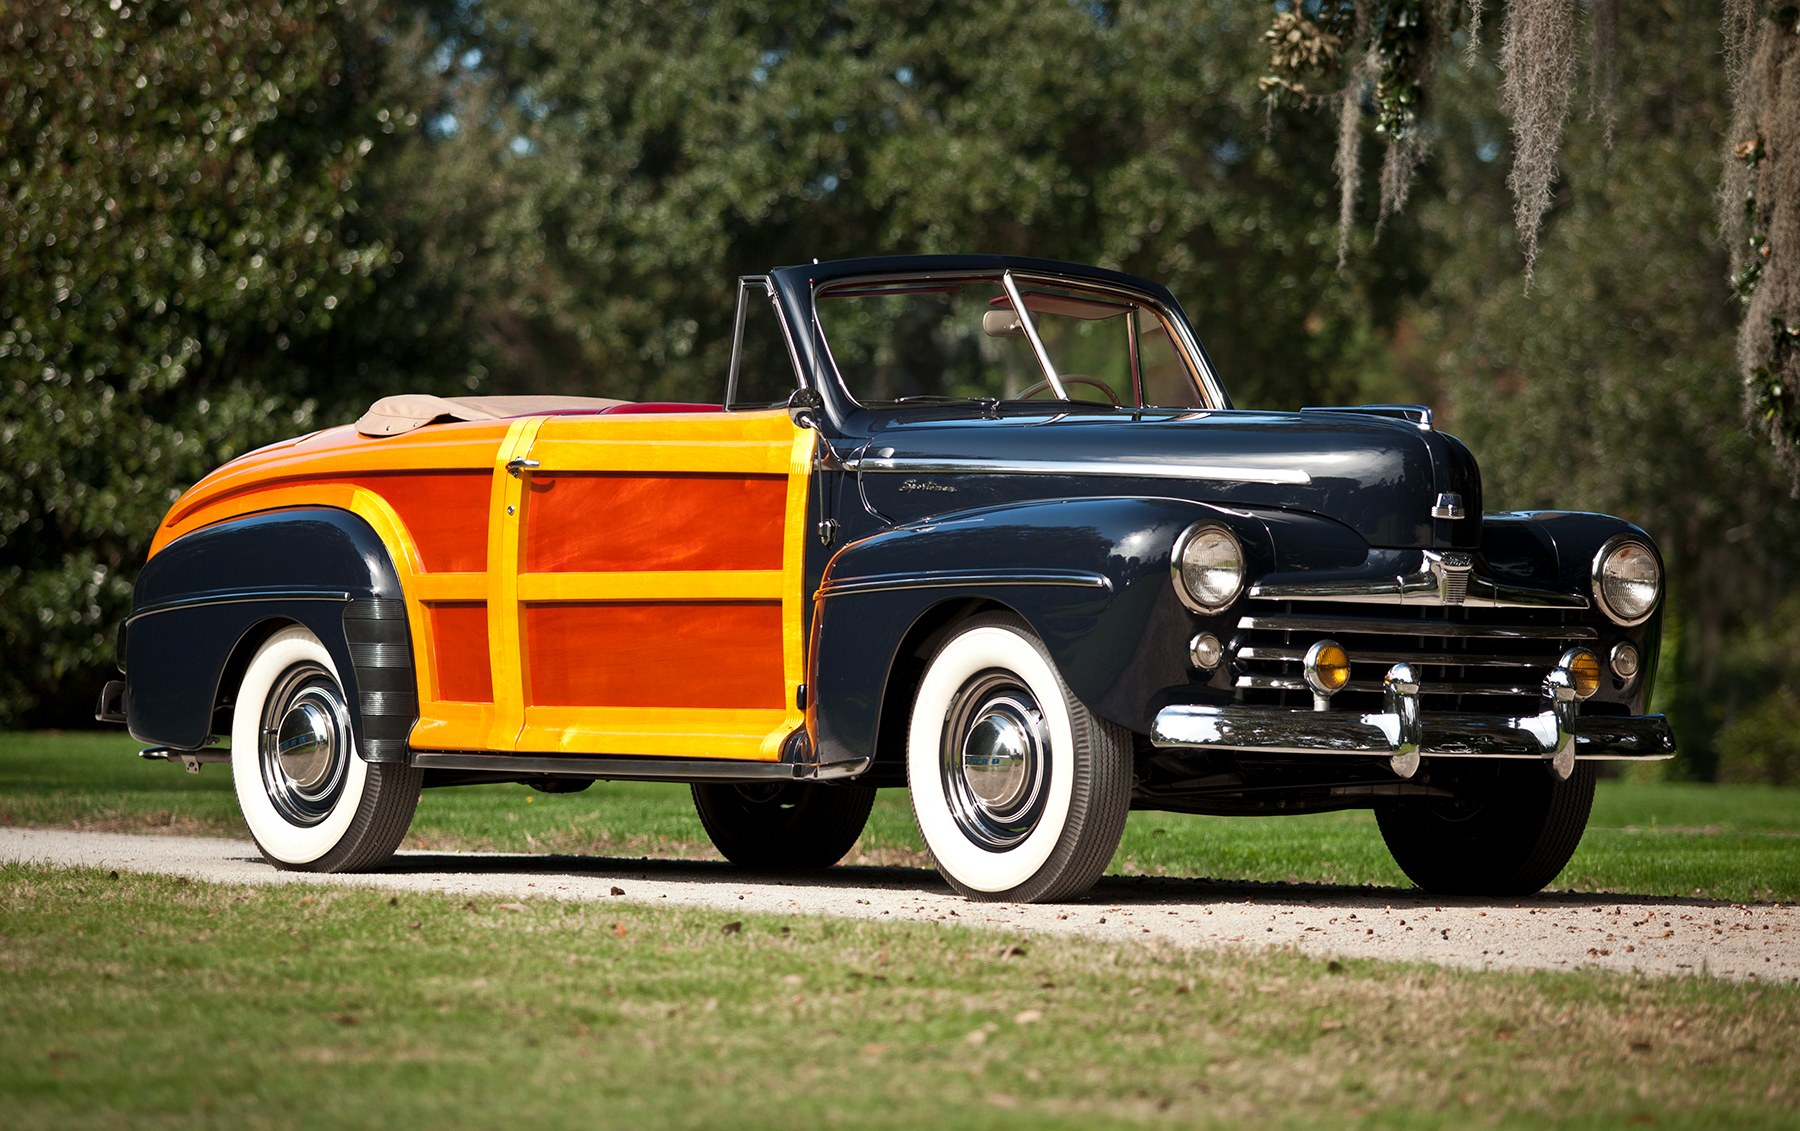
(1549, 932)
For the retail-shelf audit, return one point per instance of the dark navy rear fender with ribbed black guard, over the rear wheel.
(210, 597)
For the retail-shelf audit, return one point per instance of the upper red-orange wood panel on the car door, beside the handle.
(602, 523)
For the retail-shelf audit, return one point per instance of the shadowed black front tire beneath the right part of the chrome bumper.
(1509, 831)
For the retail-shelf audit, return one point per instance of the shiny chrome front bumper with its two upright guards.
(1558, 736)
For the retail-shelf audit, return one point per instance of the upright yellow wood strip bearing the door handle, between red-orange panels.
(507, 660)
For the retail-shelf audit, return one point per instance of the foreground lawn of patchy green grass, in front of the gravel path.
(154, 1002)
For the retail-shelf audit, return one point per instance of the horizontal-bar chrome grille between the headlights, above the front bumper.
(1470, 660)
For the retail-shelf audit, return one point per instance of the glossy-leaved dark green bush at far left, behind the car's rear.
(192, 266)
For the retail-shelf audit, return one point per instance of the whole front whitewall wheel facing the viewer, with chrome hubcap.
(1020, 792)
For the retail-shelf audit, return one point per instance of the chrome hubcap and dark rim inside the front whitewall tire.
(996, 761)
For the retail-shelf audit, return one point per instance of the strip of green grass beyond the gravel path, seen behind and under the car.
(1740, 844)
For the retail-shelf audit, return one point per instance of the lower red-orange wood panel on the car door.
(656, 655)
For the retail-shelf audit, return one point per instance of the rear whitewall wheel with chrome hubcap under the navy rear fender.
(310, 801)
